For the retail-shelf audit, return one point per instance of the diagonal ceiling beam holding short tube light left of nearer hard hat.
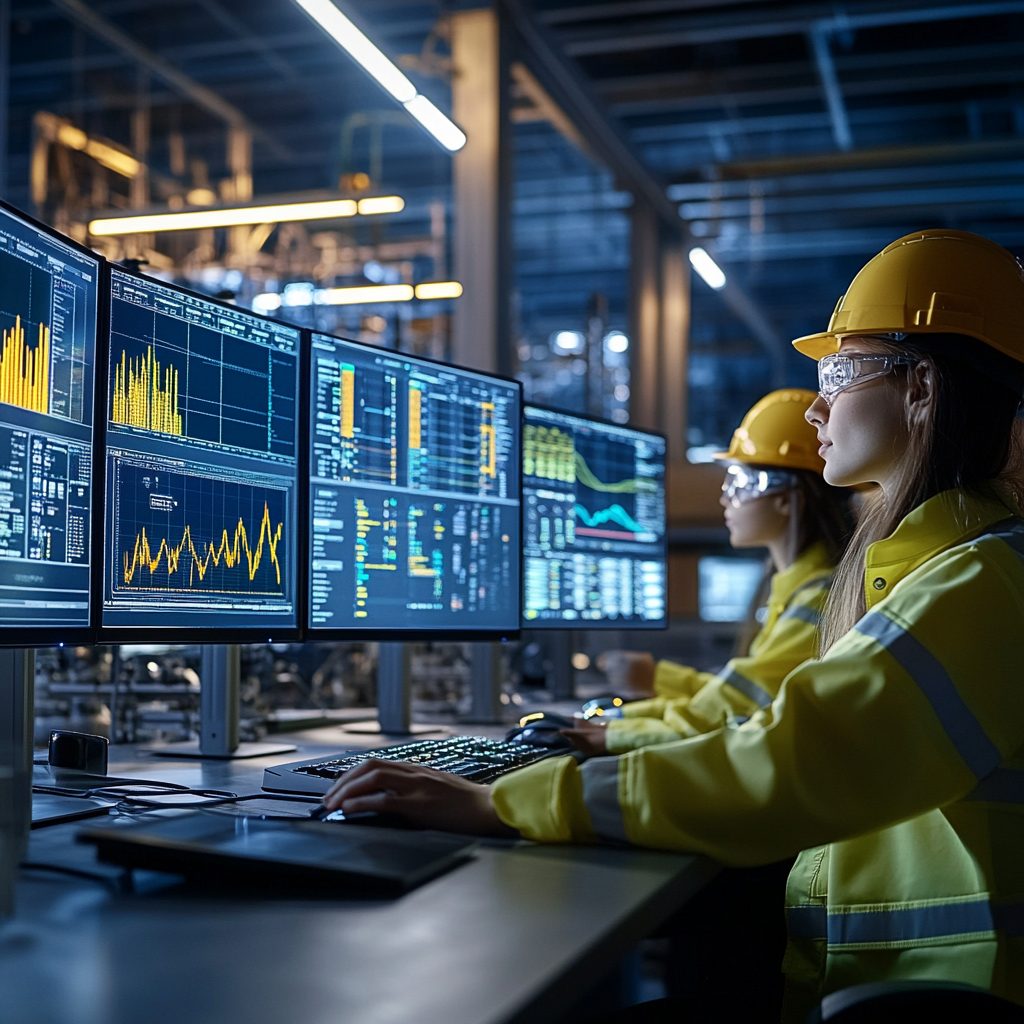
(573, 94)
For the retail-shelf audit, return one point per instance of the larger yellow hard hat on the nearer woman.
(935, 282)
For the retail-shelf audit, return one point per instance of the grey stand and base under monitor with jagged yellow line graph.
(221, 673)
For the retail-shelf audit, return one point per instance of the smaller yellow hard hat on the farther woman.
(776, 434)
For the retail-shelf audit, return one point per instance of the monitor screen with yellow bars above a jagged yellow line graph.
(203, 418)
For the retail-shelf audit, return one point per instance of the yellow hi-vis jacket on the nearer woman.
(897, 764)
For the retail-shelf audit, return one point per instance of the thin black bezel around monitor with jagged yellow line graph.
(189, 634)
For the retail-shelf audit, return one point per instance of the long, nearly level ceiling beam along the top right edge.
(619, 39)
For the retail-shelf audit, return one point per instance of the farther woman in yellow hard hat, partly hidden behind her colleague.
(775, 497)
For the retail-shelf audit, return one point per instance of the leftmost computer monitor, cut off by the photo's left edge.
(49, 300)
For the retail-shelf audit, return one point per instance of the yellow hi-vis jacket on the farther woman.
(691, 703)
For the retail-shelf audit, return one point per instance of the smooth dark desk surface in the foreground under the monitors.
(517, 935)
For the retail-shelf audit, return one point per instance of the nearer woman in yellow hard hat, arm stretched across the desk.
(894, 764)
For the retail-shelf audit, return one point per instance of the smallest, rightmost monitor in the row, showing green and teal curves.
(594, 538)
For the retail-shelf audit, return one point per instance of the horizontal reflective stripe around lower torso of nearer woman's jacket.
(908, 924)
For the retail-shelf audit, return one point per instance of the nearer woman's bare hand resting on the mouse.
(423, 796)
